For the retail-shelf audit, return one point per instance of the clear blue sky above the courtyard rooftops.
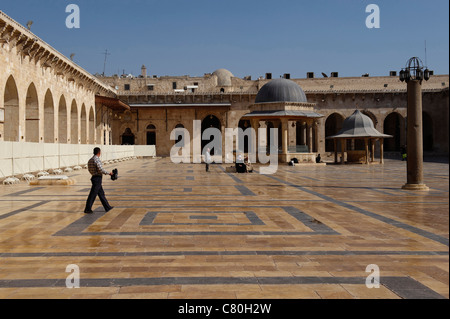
(248, 37)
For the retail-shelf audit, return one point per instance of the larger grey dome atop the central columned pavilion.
(281, 90)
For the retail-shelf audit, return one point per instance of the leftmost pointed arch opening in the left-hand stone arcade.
(11, 103)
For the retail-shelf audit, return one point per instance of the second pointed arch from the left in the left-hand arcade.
(32, 115)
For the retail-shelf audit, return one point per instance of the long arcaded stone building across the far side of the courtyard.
(159, 104)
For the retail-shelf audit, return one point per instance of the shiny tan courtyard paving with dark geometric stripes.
(179, 232)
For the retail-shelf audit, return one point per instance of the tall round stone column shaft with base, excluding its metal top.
(415, 138)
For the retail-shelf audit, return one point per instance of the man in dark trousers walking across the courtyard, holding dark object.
(95, 167)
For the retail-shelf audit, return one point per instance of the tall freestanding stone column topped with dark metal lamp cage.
(414, 74)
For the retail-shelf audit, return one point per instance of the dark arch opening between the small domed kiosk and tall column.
(394, 124)
